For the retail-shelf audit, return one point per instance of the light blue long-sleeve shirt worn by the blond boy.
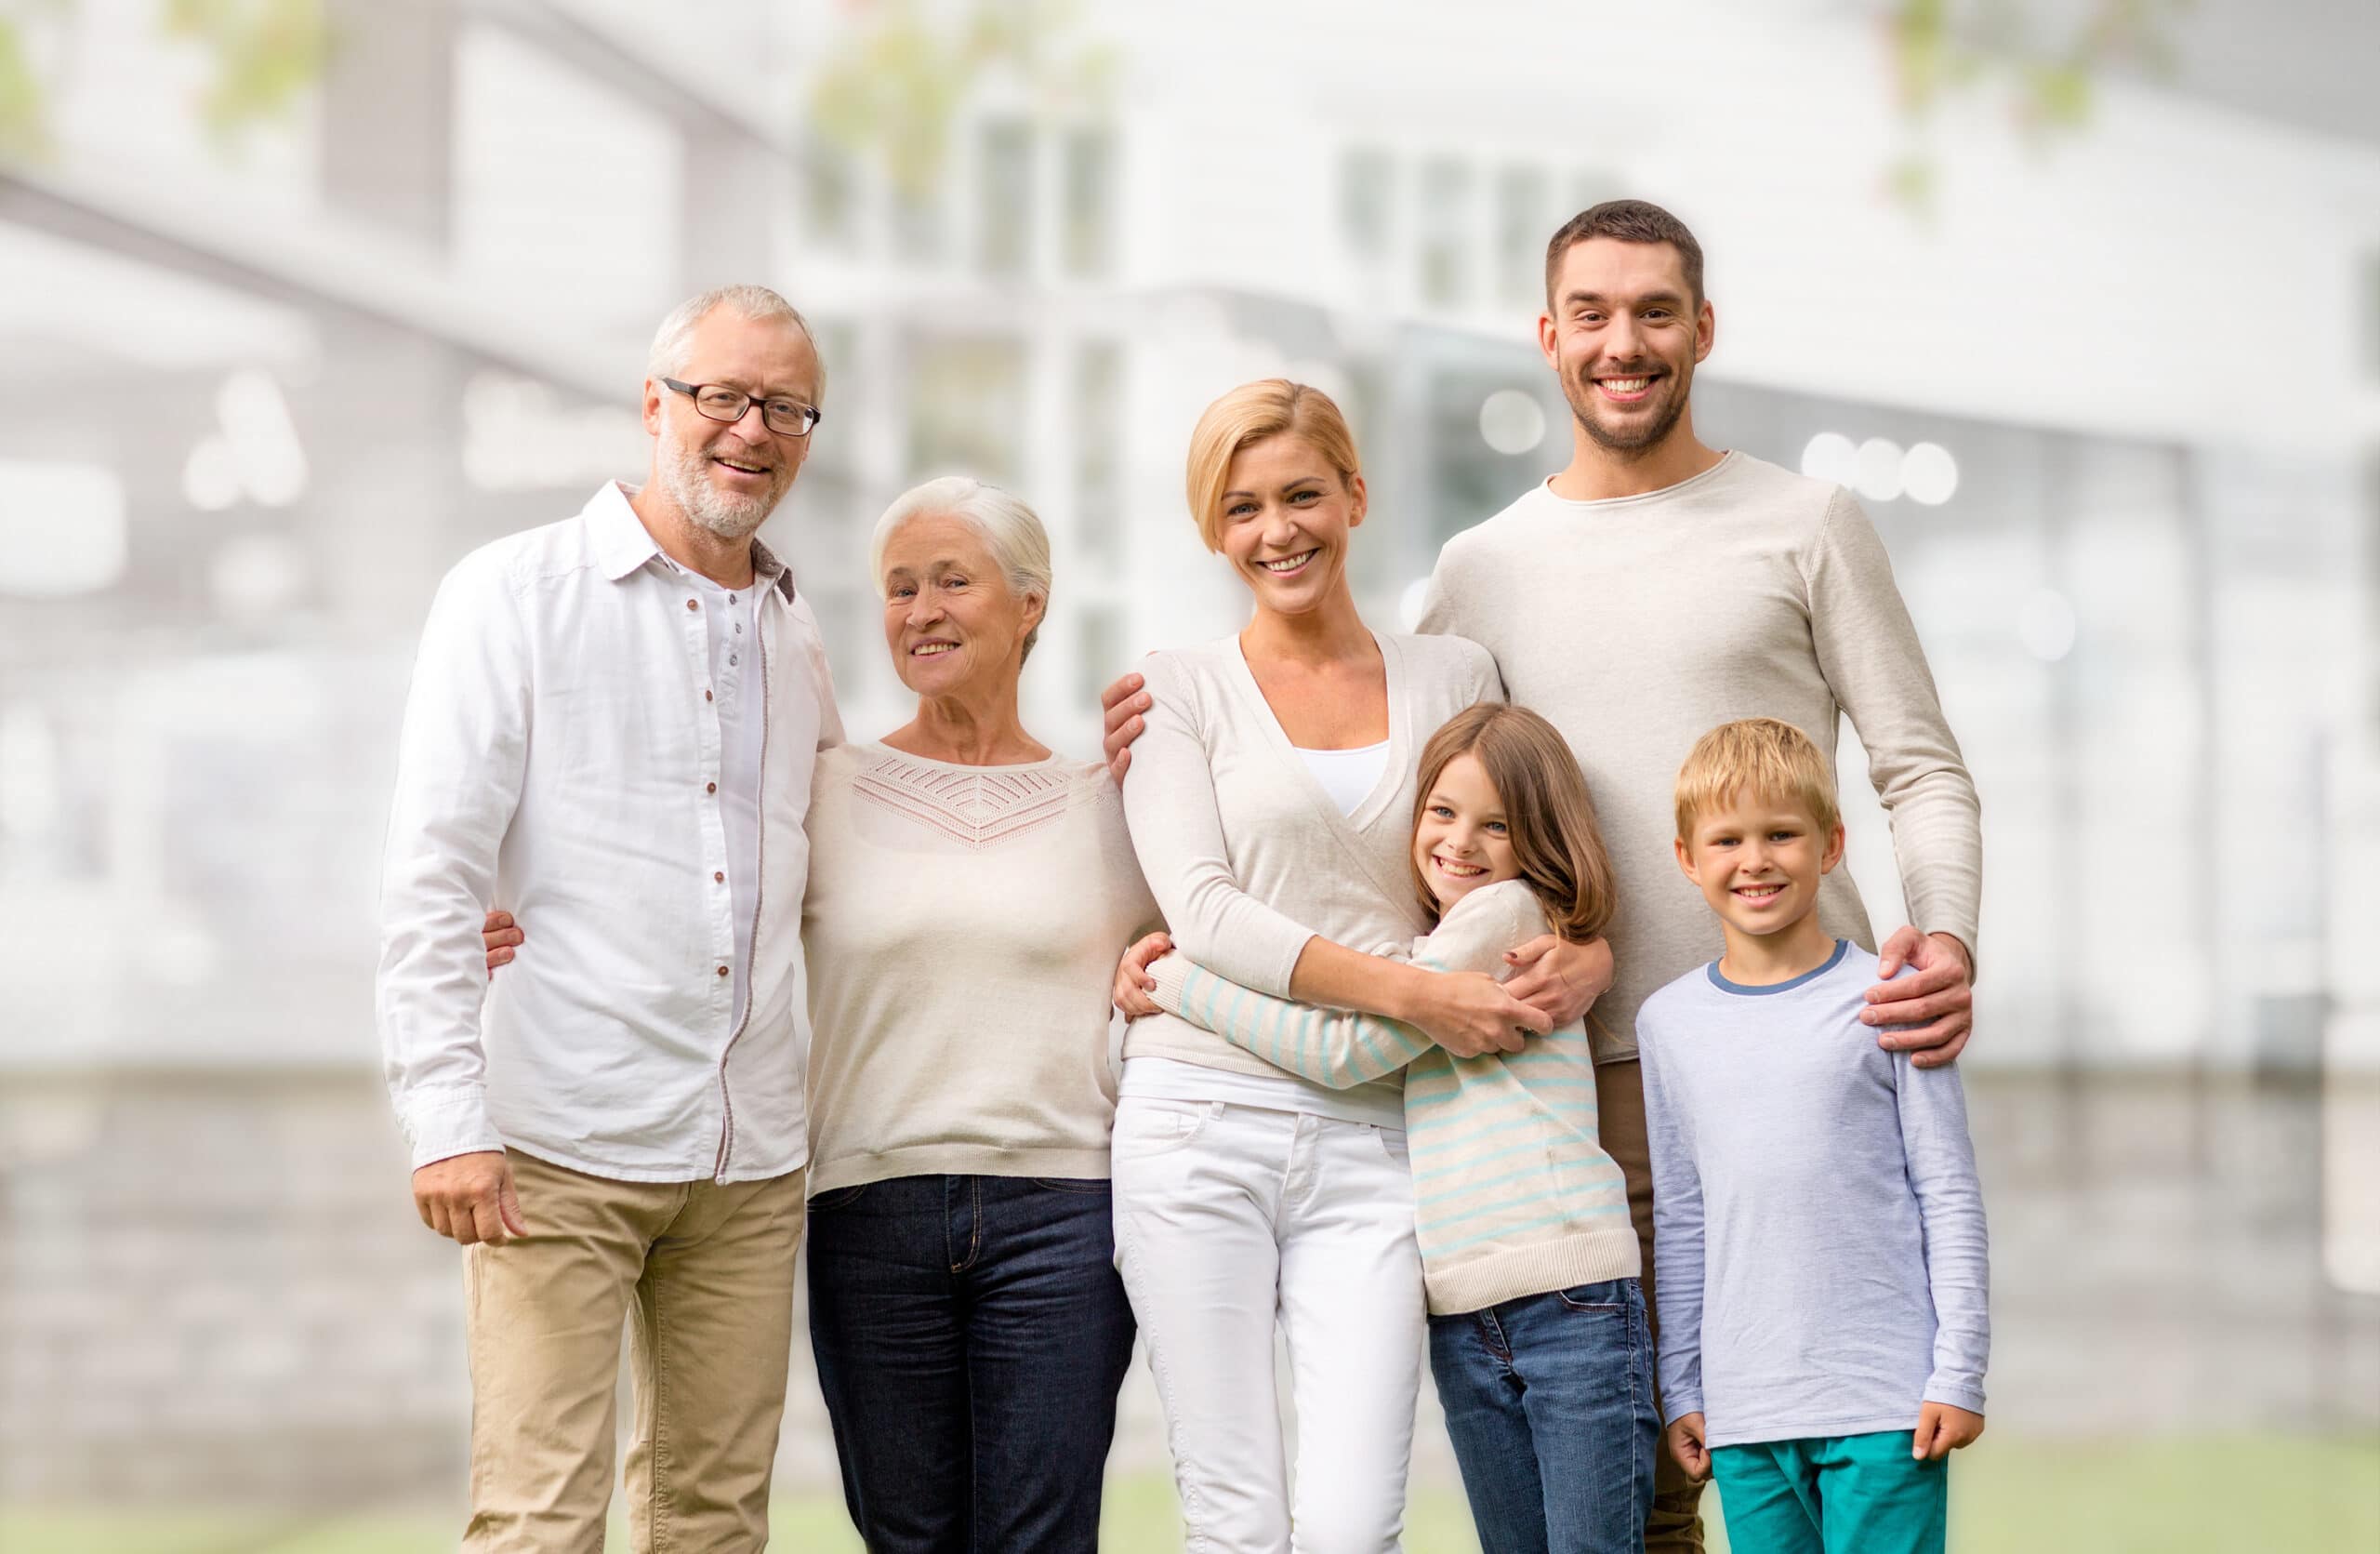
(1820, 1239)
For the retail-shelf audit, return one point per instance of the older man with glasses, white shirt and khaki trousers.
(610, 729)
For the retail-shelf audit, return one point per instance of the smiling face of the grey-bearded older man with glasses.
(722, 477)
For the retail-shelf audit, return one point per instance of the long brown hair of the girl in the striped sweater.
(1546, 813)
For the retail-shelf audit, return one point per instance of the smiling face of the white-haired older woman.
(953, 622)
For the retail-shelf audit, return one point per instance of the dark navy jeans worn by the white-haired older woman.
(972, 1336)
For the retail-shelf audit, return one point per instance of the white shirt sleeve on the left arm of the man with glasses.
(461, 763)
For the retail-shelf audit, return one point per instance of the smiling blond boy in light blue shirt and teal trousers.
(1817, 1217)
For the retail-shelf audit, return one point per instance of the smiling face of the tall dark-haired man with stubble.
(1624, 337)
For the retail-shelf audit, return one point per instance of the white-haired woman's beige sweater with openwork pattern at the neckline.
(963, 932)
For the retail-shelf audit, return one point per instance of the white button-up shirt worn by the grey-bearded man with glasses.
(563, 758)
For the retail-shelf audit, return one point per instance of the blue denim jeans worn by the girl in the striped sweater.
(1551, 1408)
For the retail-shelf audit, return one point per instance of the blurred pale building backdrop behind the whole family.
(275, 368)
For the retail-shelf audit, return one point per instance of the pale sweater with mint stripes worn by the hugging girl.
(1512, 1191)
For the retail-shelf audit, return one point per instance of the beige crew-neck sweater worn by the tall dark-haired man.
(1643, 622)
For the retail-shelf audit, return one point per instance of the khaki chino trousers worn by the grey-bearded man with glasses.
(706, 1274)
